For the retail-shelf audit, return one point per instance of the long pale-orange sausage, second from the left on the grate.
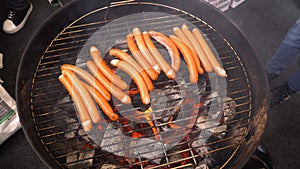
(84, 94)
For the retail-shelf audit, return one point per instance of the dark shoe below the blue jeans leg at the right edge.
(281, 94)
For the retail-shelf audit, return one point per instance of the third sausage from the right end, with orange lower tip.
(178, 32)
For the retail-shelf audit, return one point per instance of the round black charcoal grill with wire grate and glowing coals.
(238, 102)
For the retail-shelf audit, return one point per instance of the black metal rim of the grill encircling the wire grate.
(24, 78)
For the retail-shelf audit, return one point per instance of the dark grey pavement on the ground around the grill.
(263, 22)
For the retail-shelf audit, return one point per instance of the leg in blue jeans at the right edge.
(287, 51)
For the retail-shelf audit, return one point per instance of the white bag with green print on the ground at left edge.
(9, 119)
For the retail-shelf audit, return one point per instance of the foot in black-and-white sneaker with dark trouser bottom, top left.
(18, 13)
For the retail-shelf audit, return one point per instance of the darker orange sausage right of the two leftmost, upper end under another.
(102, 102)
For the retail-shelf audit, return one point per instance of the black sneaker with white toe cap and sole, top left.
(16, 19)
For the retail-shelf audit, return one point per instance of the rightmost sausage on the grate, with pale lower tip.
(210, 55)
